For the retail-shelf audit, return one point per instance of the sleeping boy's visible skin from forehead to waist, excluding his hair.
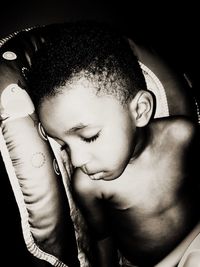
(140, 170)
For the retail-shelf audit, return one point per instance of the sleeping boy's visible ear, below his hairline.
(142, 108)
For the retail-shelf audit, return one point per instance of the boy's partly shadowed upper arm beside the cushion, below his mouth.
(87, 194)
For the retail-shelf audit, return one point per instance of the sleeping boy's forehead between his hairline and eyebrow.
(77, 103)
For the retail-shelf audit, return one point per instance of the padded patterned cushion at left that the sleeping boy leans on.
(32, 168)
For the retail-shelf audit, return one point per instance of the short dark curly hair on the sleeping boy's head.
(88, 48)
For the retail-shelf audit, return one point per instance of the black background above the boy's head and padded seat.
(172, 28)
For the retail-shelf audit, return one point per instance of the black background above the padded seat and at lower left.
(171, 28)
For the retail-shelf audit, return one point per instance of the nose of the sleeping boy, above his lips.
(79, 158)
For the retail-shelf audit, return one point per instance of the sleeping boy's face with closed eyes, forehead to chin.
(97, 131)
